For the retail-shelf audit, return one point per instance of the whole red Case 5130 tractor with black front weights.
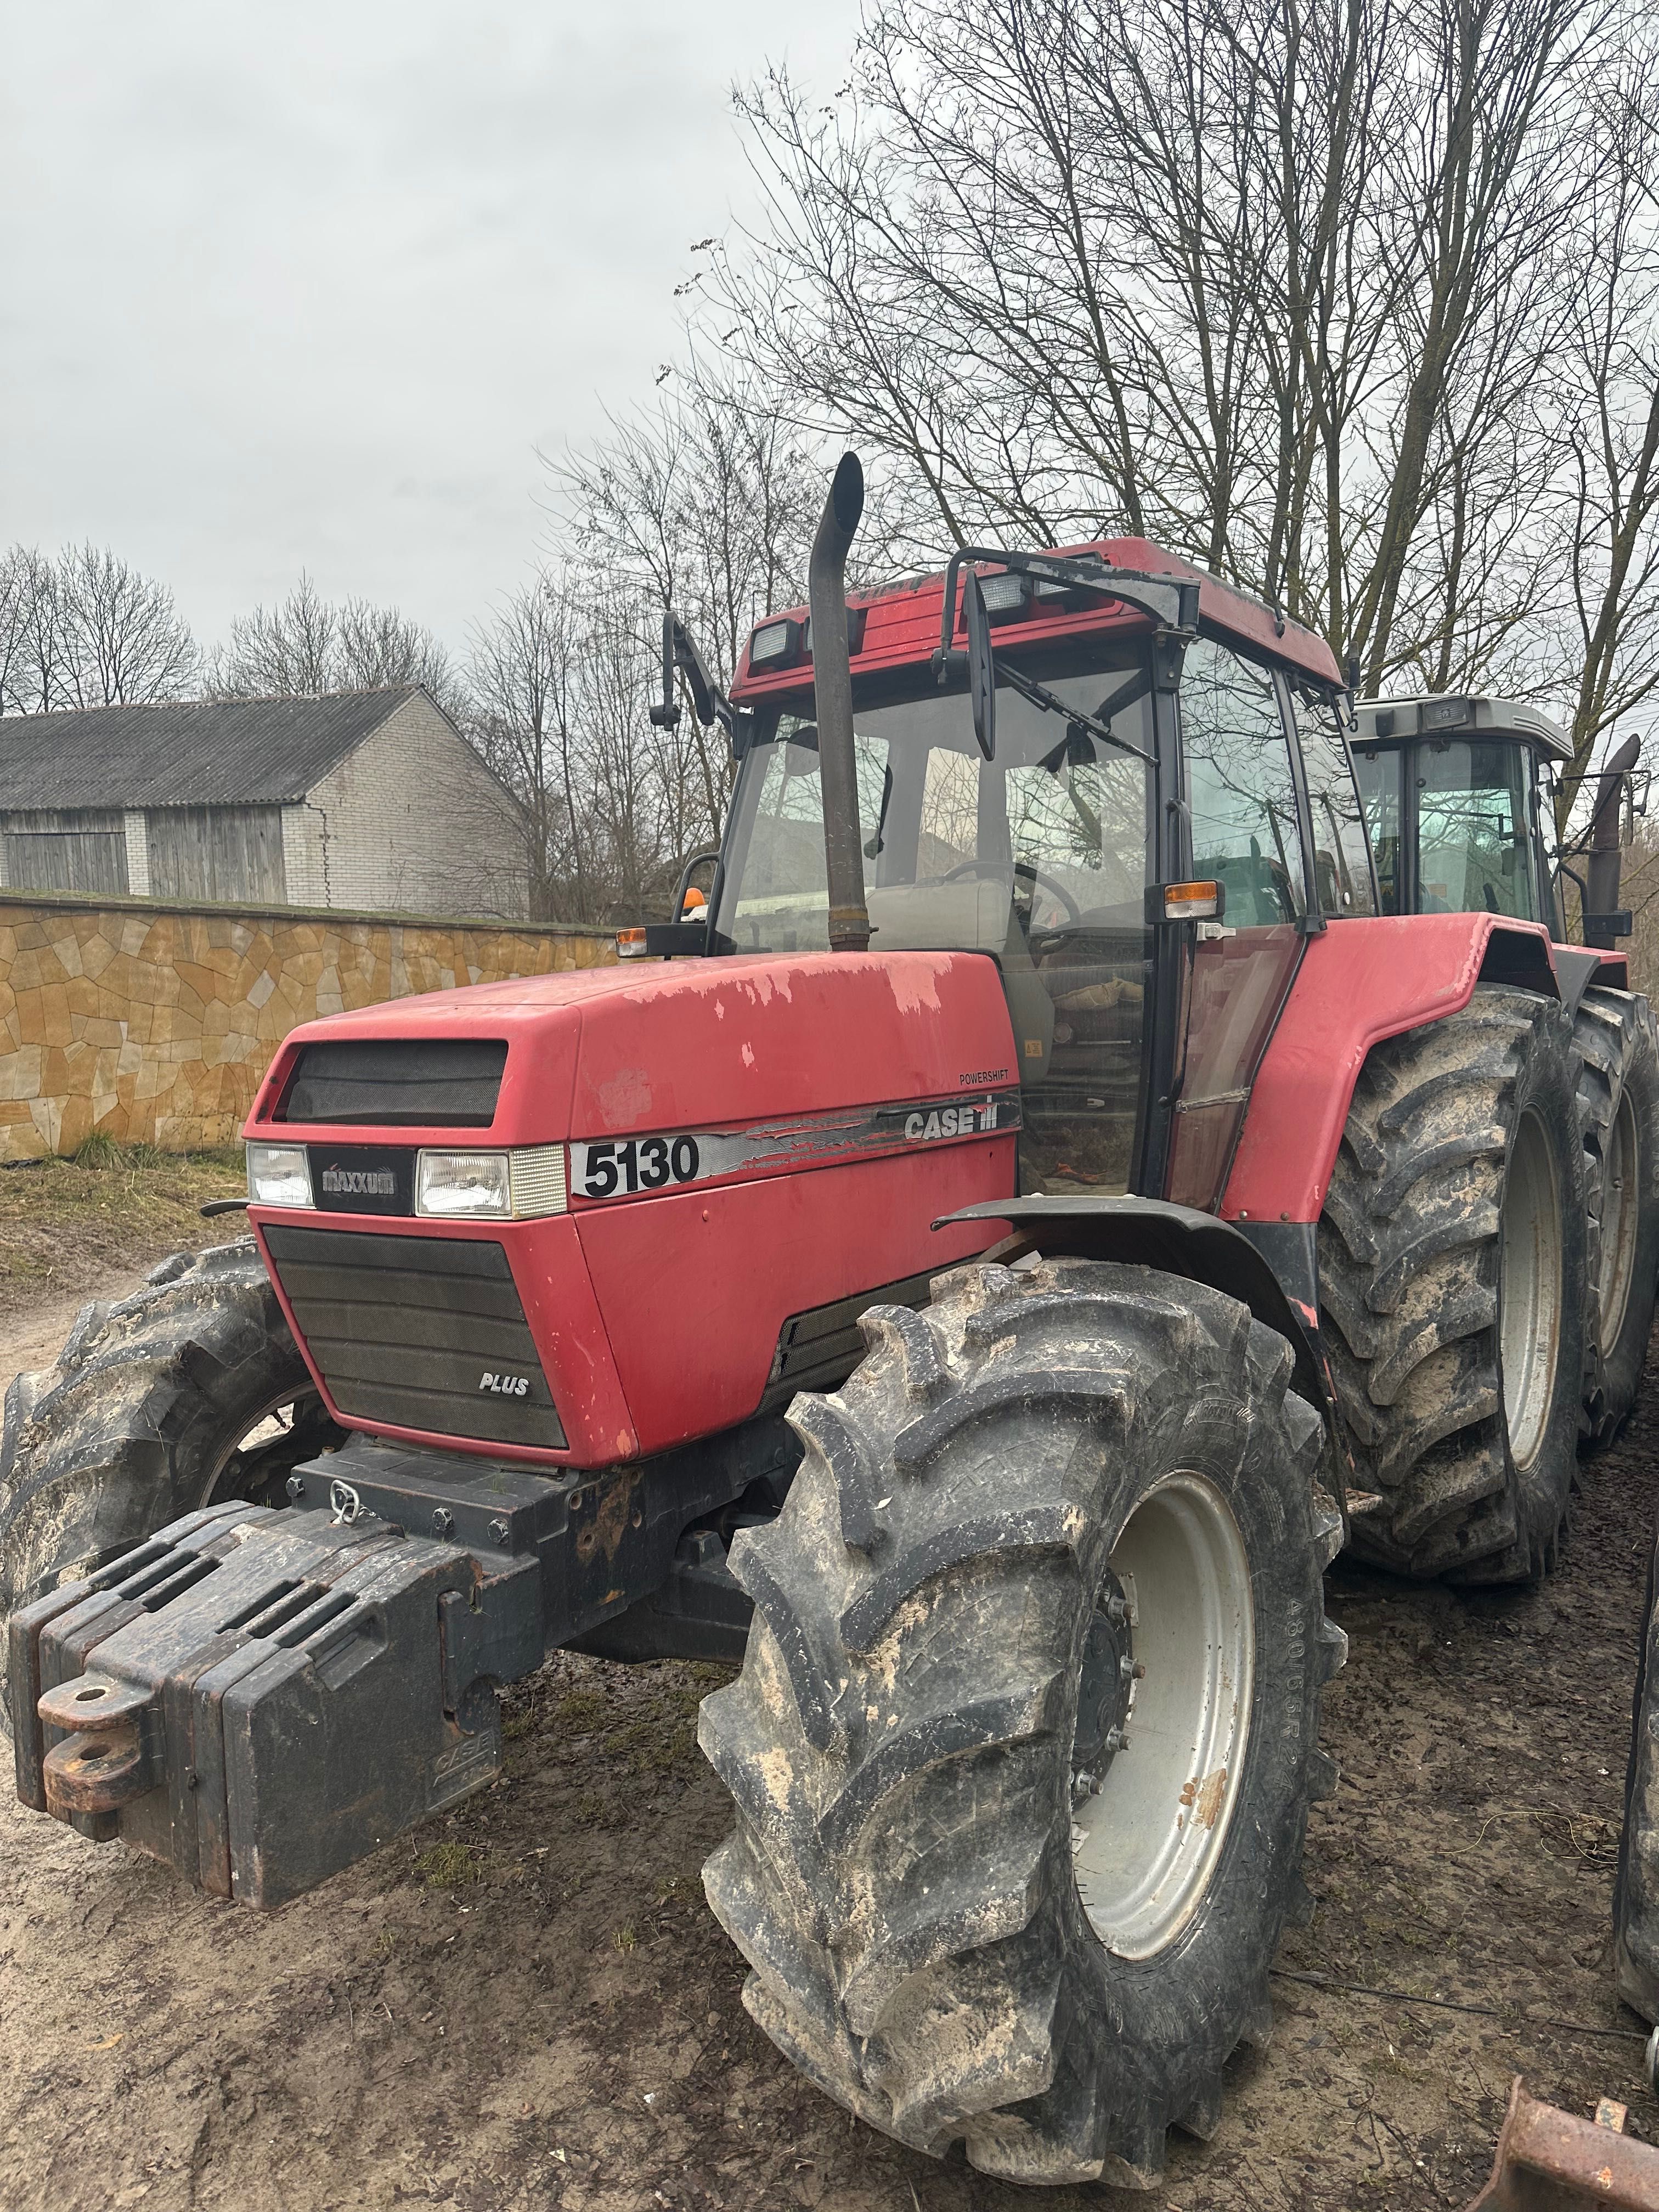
(972, 1280)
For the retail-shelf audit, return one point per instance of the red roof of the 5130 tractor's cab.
(901, 627)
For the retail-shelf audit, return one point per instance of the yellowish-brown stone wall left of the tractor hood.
(156, 1025)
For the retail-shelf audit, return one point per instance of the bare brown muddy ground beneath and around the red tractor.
(528, 2005)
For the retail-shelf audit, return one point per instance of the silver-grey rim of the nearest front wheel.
(1149, 1841)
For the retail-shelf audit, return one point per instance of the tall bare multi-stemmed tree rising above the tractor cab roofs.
(1271, 280)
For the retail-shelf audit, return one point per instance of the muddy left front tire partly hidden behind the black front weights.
(145, 1419)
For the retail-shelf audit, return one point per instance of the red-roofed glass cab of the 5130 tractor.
(1134, 797)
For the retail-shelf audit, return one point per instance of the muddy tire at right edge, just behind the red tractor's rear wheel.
(1620, 1116)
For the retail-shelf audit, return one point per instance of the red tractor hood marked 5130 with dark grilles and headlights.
(594, 1218)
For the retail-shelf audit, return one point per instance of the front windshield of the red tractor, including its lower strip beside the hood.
(1039, 857)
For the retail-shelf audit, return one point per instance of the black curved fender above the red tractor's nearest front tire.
(1266, 1266)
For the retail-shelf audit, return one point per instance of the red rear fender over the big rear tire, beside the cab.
(1359, 983)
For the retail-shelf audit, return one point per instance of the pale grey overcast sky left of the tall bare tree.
(311, 284)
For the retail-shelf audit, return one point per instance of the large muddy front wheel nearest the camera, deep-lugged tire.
(904, 1740)
